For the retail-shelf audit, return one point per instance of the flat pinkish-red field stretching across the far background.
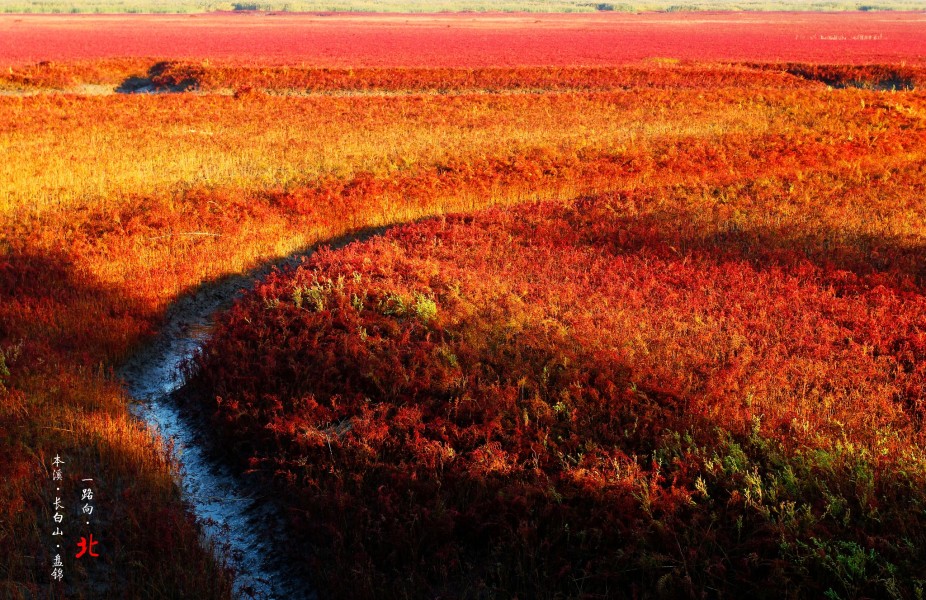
(469, 40)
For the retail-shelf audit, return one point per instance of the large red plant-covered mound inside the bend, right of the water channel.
(567, 399)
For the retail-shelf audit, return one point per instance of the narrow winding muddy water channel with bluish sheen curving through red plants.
(243, 527)
